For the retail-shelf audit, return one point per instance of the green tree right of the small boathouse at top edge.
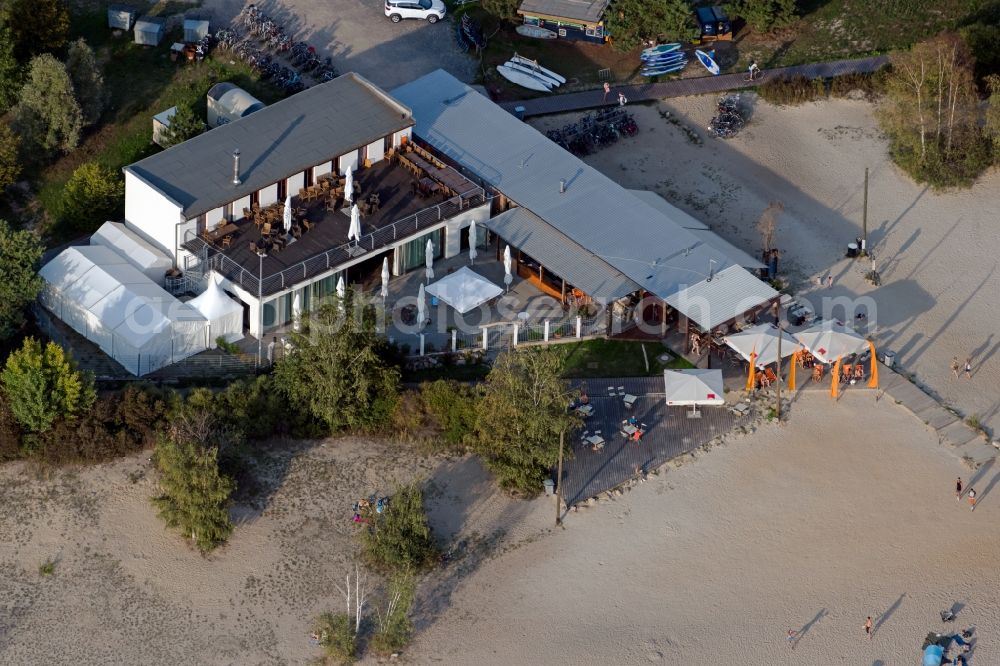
(630, 22)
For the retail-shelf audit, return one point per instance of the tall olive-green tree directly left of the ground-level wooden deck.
(520, 417)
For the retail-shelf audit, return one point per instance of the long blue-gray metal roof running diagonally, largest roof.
(597, 213)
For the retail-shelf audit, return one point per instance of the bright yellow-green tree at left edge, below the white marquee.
(43, 384)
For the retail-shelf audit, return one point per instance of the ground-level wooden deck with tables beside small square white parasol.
(669, 434)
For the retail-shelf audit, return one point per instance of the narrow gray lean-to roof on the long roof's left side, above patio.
(558, 253)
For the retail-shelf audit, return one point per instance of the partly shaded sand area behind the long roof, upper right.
(937, 252)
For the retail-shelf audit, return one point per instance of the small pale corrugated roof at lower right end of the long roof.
(729, 294)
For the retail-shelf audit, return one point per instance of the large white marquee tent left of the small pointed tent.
(113, 304)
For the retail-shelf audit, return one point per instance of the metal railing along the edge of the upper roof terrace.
(341, 254)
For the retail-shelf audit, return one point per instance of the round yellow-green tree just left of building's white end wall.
(93, 195)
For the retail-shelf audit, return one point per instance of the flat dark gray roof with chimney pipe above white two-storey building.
(304, 130)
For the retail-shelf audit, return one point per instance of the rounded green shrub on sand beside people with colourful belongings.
(400, 538)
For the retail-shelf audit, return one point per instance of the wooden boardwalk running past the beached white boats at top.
(590, 99)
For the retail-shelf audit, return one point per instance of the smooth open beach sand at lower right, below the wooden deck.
(844, 512)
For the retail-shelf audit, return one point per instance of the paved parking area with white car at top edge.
(359, 37)
